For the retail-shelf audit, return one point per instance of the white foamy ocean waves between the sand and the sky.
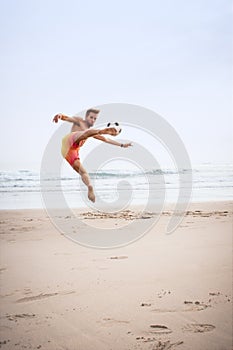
(21, 189)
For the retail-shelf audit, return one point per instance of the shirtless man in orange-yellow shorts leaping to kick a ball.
(80, 132)
